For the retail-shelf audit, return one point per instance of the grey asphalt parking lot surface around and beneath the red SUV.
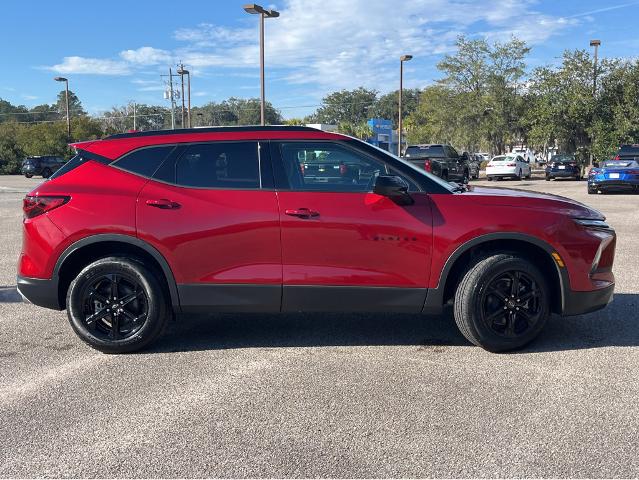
(323, 395)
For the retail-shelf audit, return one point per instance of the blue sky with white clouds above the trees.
(116, 52)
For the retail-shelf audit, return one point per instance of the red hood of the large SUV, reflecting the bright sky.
(534, 200)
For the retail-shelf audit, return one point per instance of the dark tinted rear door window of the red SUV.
(219, 165)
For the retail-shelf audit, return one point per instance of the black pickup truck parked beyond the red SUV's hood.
(440, 160)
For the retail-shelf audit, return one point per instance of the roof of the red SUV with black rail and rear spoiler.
(115, 146)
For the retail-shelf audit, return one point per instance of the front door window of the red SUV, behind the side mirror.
(330, 167)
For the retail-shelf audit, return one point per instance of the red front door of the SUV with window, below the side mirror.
(343, 247)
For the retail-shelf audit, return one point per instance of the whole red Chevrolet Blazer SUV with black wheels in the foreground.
(139, 227)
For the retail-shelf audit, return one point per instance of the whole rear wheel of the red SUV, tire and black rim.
(142, 313)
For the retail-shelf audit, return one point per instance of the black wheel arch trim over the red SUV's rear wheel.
(84, 251)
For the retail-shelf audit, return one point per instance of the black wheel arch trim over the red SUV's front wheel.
(532, 248)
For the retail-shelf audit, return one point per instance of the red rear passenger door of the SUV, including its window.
(210, 209)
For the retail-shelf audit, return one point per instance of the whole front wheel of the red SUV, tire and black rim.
(479, 297)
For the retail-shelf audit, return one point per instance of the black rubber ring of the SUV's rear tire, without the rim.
(157, 304)
